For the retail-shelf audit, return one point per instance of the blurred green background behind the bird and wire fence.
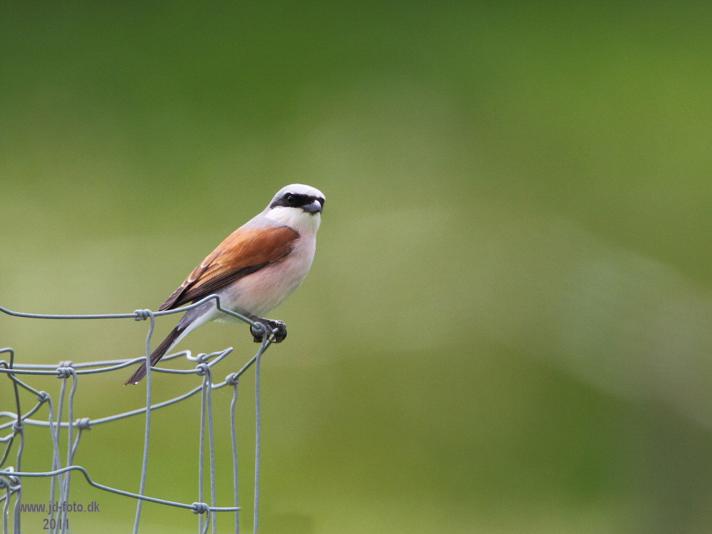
(506, 328)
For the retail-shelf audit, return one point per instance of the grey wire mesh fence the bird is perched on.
(71, 428)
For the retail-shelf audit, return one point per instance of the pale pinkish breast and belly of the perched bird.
(264, 290)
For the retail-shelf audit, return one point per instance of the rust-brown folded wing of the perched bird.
(243, 252)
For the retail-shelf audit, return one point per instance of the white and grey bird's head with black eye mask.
(298, 206)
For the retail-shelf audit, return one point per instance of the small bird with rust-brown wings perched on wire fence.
(252, 270)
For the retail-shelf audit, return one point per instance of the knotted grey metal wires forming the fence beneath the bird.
(10, 478)
